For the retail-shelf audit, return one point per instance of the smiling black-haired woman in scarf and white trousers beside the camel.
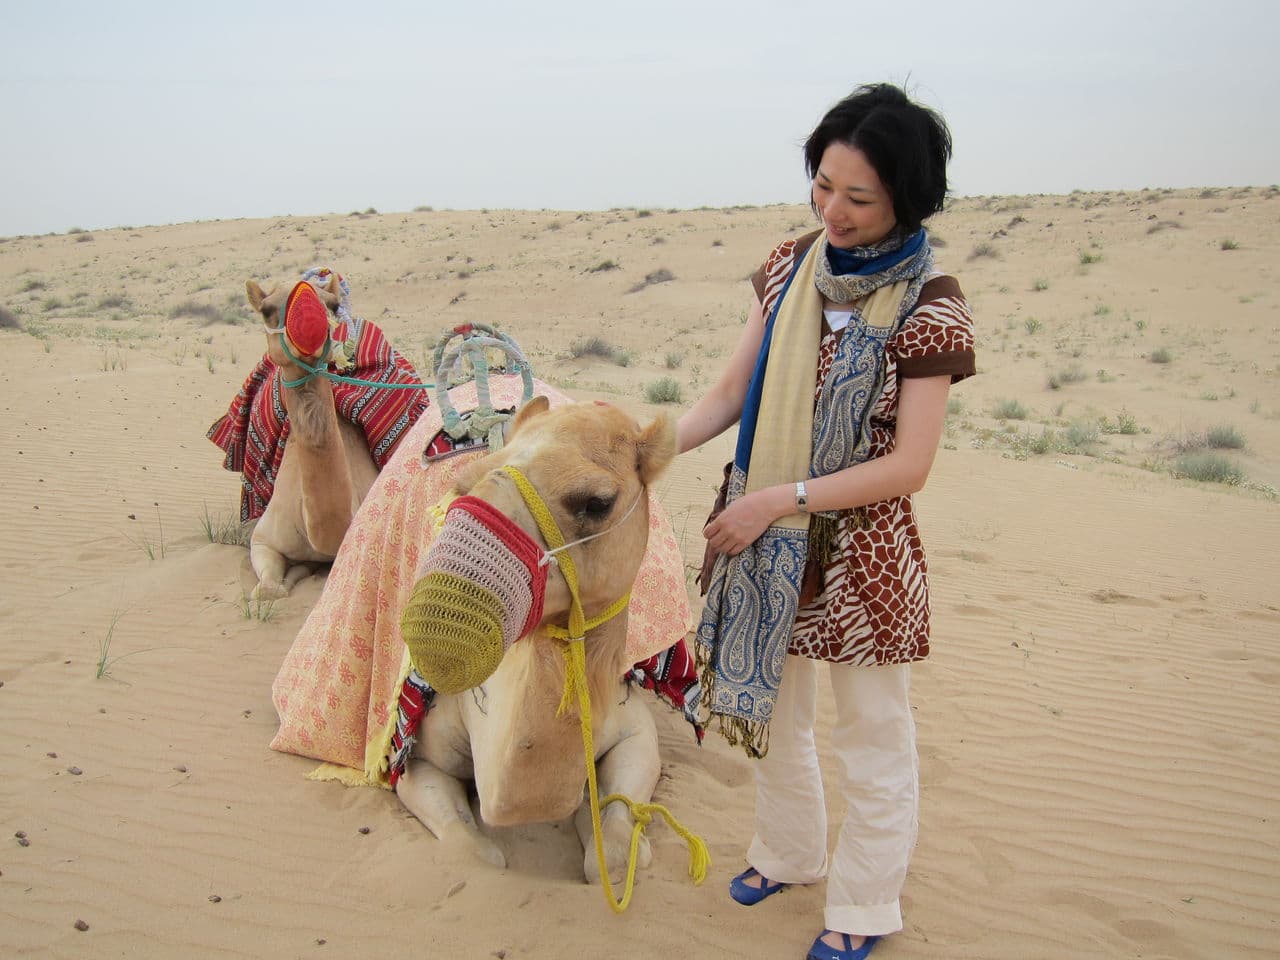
(839, 386)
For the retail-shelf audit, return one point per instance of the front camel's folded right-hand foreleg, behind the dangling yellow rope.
(630, 767)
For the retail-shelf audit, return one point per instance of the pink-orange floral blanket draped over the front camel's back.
(339, 689)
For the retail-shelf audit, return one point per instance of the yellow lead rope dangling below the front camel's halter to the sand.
(700, 858)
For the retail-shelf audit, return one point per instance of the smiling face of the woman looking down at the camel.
(856, 207)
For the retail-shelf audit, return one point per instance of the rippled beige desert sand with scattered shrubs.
(1098, 725)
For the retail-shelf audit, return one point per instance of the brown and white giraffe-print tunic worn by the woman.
(875, 605)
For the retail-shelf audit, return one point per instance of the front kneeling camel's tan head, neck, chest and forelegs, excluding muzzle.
(592, 465)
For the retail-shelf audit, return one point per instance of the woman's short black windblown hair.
(908, 145)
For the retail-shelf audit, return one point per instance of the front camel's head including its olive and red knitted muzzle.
(591, 465)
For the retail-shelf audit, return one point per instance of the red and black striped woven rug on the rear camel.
(255, 429)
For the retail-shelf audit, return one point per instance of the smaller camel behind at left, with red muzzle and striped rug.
(309, 449)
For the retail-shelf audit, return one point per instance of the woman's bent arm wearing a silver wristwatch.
(922, 409)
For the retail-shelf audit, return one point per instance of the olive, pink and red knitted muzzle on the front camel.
(481, 588)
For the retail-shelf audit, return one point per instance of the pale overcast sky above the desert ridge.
(136, 113)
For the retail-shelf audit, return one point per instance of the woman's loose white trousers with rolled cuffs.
(874, 739)
